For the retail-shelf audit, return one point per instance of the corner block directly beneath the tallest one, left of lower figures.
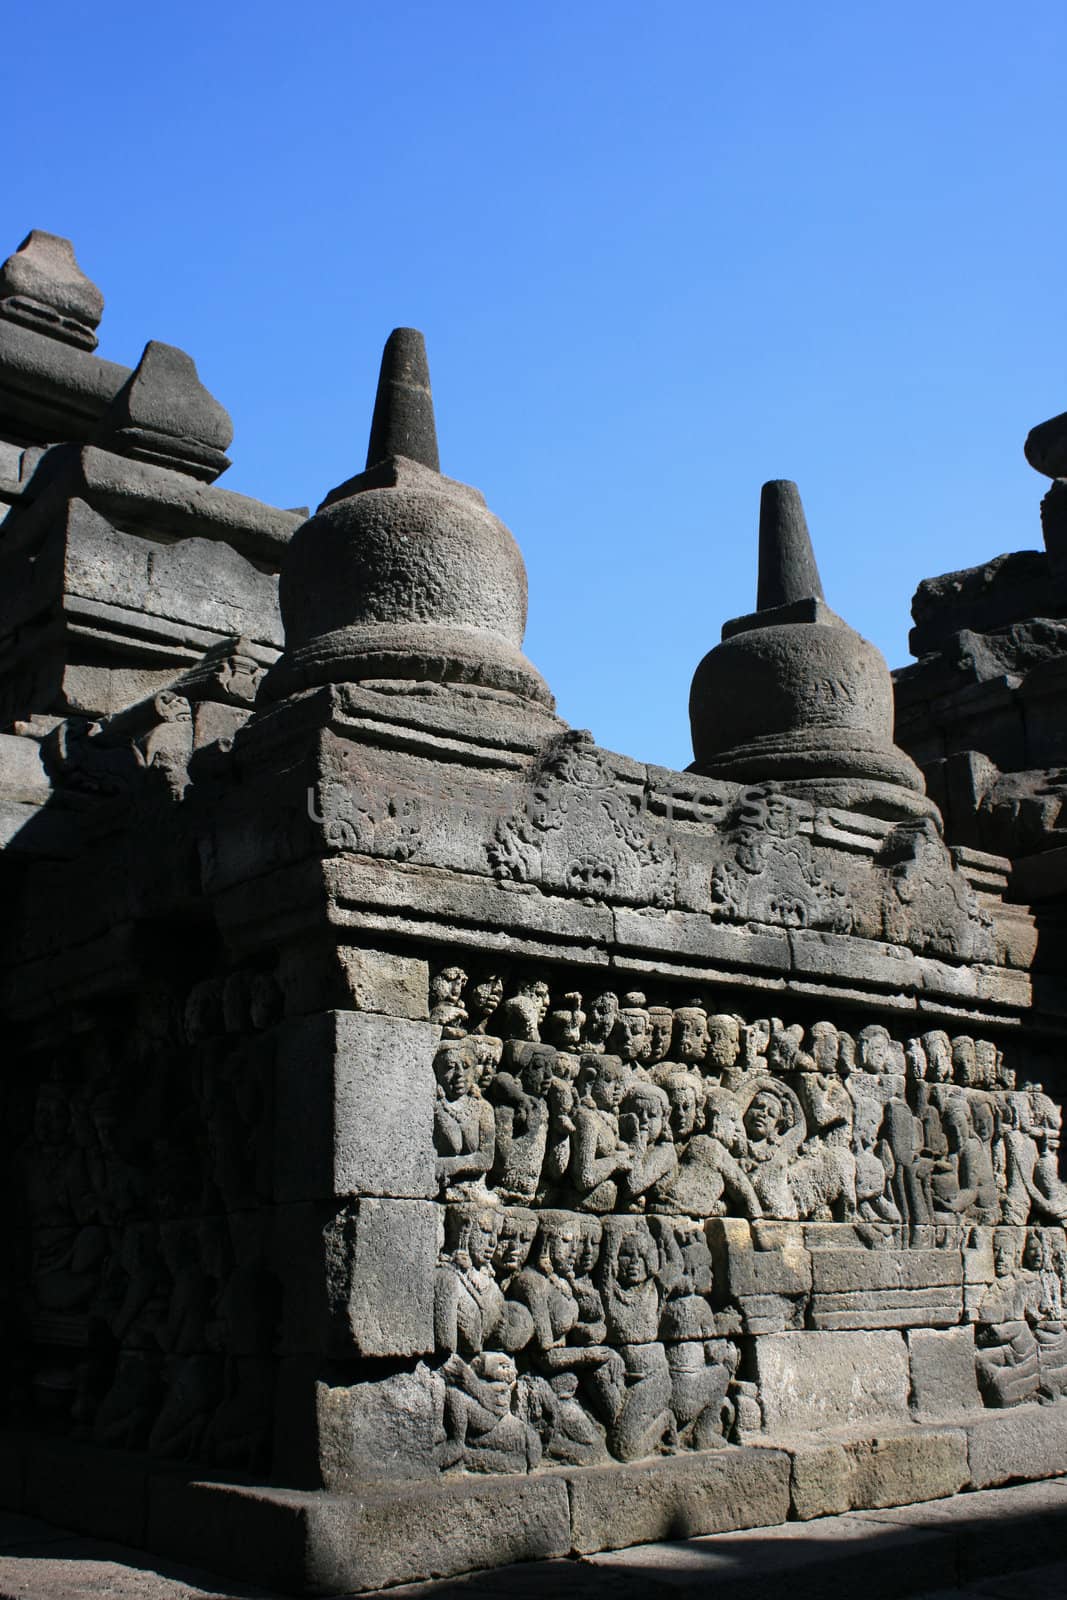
(359, 1279)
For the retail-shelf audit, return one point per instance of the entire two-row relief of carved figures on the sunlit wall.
(583, 1143)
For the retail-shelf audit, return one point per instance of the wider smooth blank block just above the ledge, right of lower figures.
(825, 1380)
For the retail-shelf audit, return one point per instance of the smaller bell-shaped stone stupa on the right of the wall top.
(794, 697)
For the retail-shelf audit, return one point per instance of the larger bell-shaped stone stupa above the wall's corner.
(406, 575)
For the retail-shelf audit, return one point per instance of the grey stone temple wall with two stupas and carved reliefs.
(434, 1140)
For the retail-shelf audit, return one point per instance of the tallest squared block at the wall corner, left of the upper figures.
(356, 1108)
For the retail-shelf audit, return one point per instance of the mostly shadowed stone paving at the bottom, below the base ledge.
(996, 1545)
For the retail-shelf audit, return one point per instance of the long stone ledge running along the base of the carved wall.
(406, 1532)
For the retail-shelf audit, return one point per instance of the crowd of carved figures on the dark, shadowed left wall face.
(145, 1308)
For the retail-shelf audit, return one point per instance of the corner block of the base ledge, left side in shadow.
(350, 1543)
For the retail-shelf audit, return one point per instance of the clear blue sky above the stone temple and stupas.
(660, 252)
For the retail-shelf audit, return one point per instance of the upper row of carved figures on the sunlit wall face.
(623, 1106)
